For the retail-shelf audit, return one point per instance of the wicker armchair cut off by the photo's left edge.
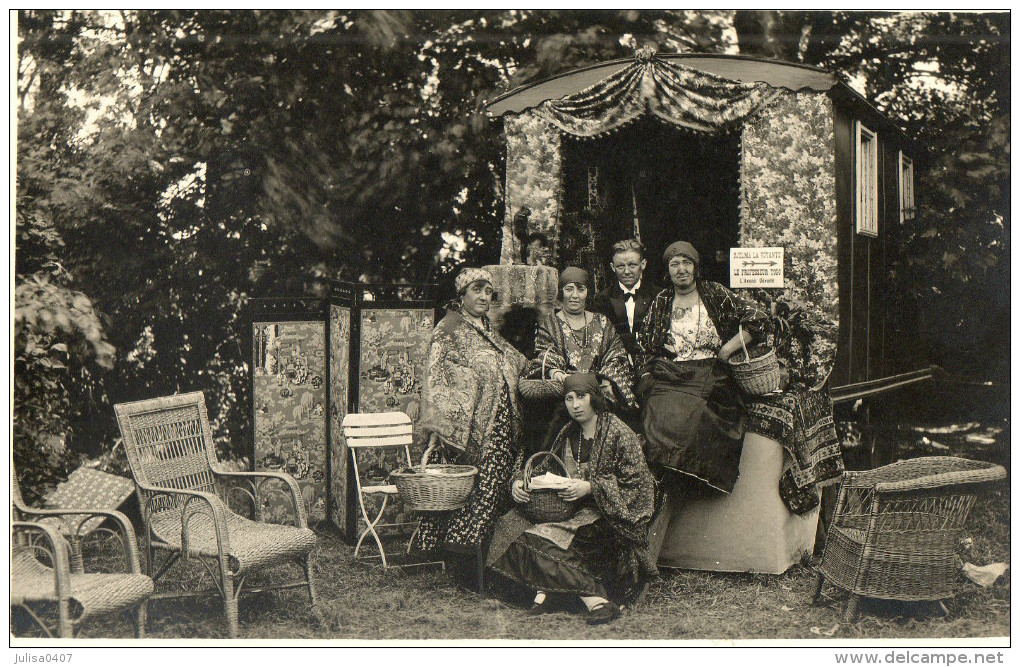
(46, 573)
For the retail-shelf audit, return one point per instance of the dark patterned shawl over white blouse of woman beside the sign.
(728, 311)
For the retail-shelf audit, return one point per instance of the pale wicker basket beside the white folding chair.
(445, 487)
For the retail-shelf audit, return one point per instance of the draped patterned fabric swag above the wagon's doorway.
(674, 93)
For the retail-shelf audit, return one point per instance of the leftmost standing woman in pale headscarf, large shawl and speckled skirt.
(470, 404)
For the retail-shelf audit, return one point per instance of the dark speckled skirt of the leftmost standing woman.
(468, 529)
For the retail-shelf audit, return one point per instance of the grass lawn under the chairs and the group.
(360, 601)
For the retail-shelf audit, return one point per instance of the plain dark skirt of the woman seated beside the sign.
(693, 419)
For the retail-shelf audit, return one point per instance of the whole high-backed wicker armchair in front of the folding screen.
(186, 502)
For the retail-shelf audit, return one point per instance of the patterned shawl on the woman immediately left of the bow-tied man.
(605, 355)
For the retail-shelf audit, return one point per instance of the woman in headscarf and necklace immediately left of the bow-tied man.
(574, 340)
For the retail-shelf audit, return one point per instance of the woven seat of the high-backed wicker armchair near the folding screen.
(252, 544)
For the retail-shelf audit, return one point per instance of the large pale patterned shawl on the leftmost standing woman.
(466, 373)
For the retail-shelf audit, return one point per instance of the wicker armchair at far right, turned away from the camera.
(896, 530)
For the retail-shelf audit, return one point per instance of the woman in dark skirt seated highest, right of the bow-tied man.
(692, 412)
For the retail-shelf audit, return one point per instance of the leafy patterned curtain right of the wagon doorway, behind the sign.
(788, 188)
